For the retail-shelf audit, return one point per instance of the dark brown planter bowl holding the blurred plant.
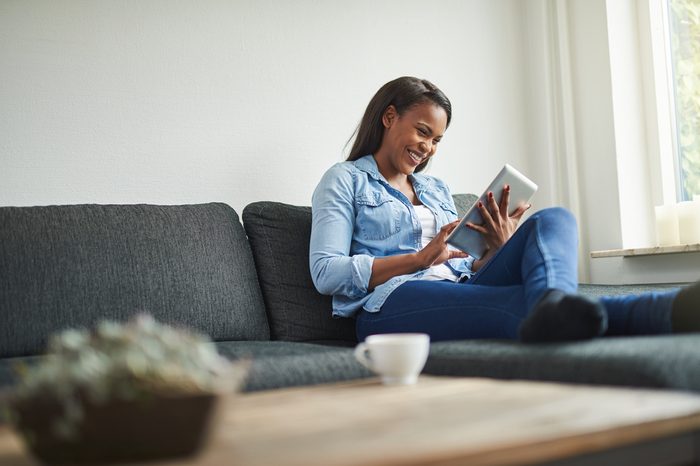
(118, 431)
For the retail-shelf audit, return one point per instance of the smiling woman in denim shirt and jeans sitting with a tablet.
(378, 246)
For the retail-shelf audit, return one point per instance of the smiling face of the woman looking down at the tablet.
(412, 138)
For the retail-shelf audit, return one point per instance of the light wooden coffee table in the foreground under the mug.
(446, 421)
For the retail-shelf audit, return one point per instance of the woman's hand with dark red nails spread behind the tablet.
(498, 226)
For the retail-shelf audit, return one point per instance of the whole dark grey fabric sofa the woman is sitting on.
(248, 287)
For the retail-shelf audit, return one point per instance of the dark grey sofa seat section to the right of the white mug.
(664, 361)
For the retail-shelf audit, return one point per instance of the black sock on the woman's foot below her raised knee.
(564, 317)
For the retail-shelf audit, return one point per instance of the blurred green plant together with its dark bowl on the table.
(121, 392)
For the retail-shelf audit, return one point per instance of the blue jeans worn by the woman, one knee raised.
(540, 256)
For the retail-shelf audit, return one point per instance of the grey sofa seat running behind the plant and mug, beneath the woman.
(665, 361)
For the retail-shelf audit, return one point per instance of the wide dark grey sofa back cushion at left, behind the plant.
(71, 266)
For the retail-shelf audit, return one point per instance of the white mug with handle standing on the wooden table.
(397, 357)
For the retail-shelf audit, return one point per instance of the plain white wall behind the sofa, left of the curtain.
(162, 101)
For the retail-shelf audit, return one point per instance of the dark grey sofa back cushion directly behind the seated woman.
(279, 237)
